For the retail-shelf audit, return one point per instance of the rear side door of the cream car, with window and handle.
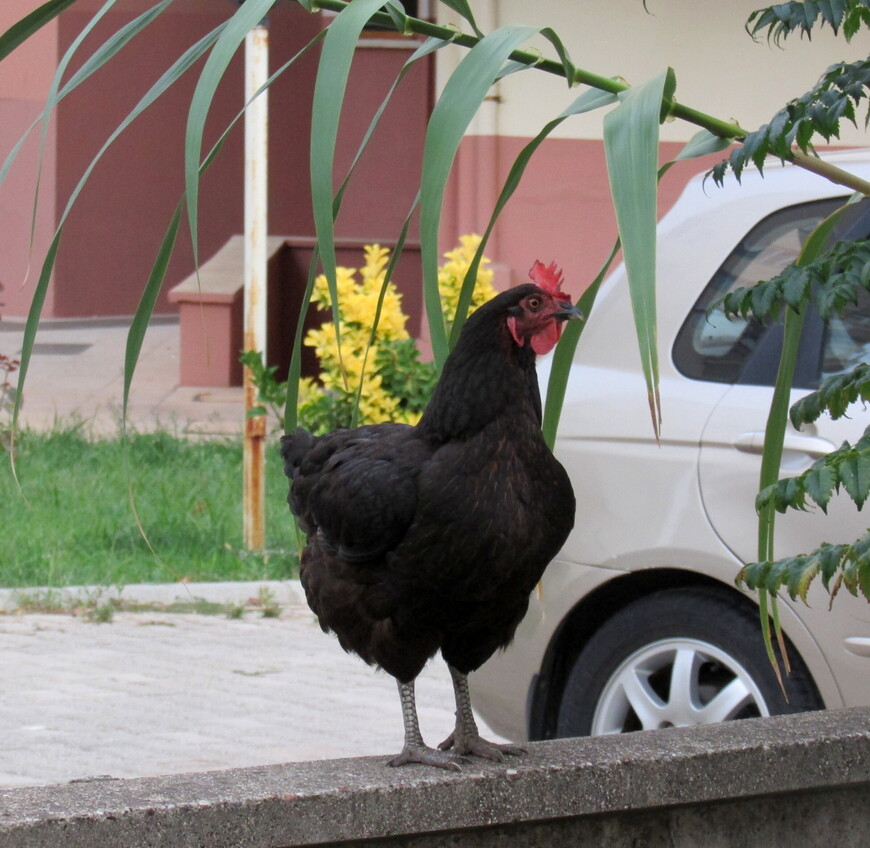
(733, 437)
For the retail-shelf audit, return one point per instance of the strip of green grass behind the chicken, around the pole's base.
(72, 522)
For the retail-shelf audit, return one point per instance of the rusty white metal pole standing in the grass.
(256, 260)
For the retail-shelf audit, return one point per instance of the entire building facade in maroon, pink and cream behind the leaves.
(561, 210)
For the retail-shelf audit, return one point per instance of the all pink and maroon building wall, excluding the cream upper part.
(561, 211)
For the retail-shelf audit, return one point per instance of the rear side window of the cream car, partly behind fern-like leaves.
(716, 349)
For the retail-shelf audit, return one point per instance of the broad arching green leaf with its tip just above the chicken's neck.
(459, 101)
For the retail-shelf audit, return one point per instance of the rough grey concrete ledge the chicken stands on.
(758, 782)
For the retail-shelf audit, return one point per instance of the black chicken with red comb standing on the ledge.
(432, 537)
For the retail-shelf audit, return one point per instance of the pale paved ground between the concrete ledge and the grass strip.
(159, 693)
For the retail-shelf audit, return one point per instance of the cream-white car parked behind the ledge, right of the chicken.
(638, 623)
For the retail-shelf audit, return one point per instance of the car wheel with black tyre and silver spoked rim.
(676, 658)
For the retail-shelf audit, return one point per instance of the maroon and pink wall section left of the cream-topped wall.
(112, 235)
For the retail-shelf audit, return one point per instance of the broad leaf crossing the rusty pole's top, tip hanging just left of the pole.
(249, 14)
